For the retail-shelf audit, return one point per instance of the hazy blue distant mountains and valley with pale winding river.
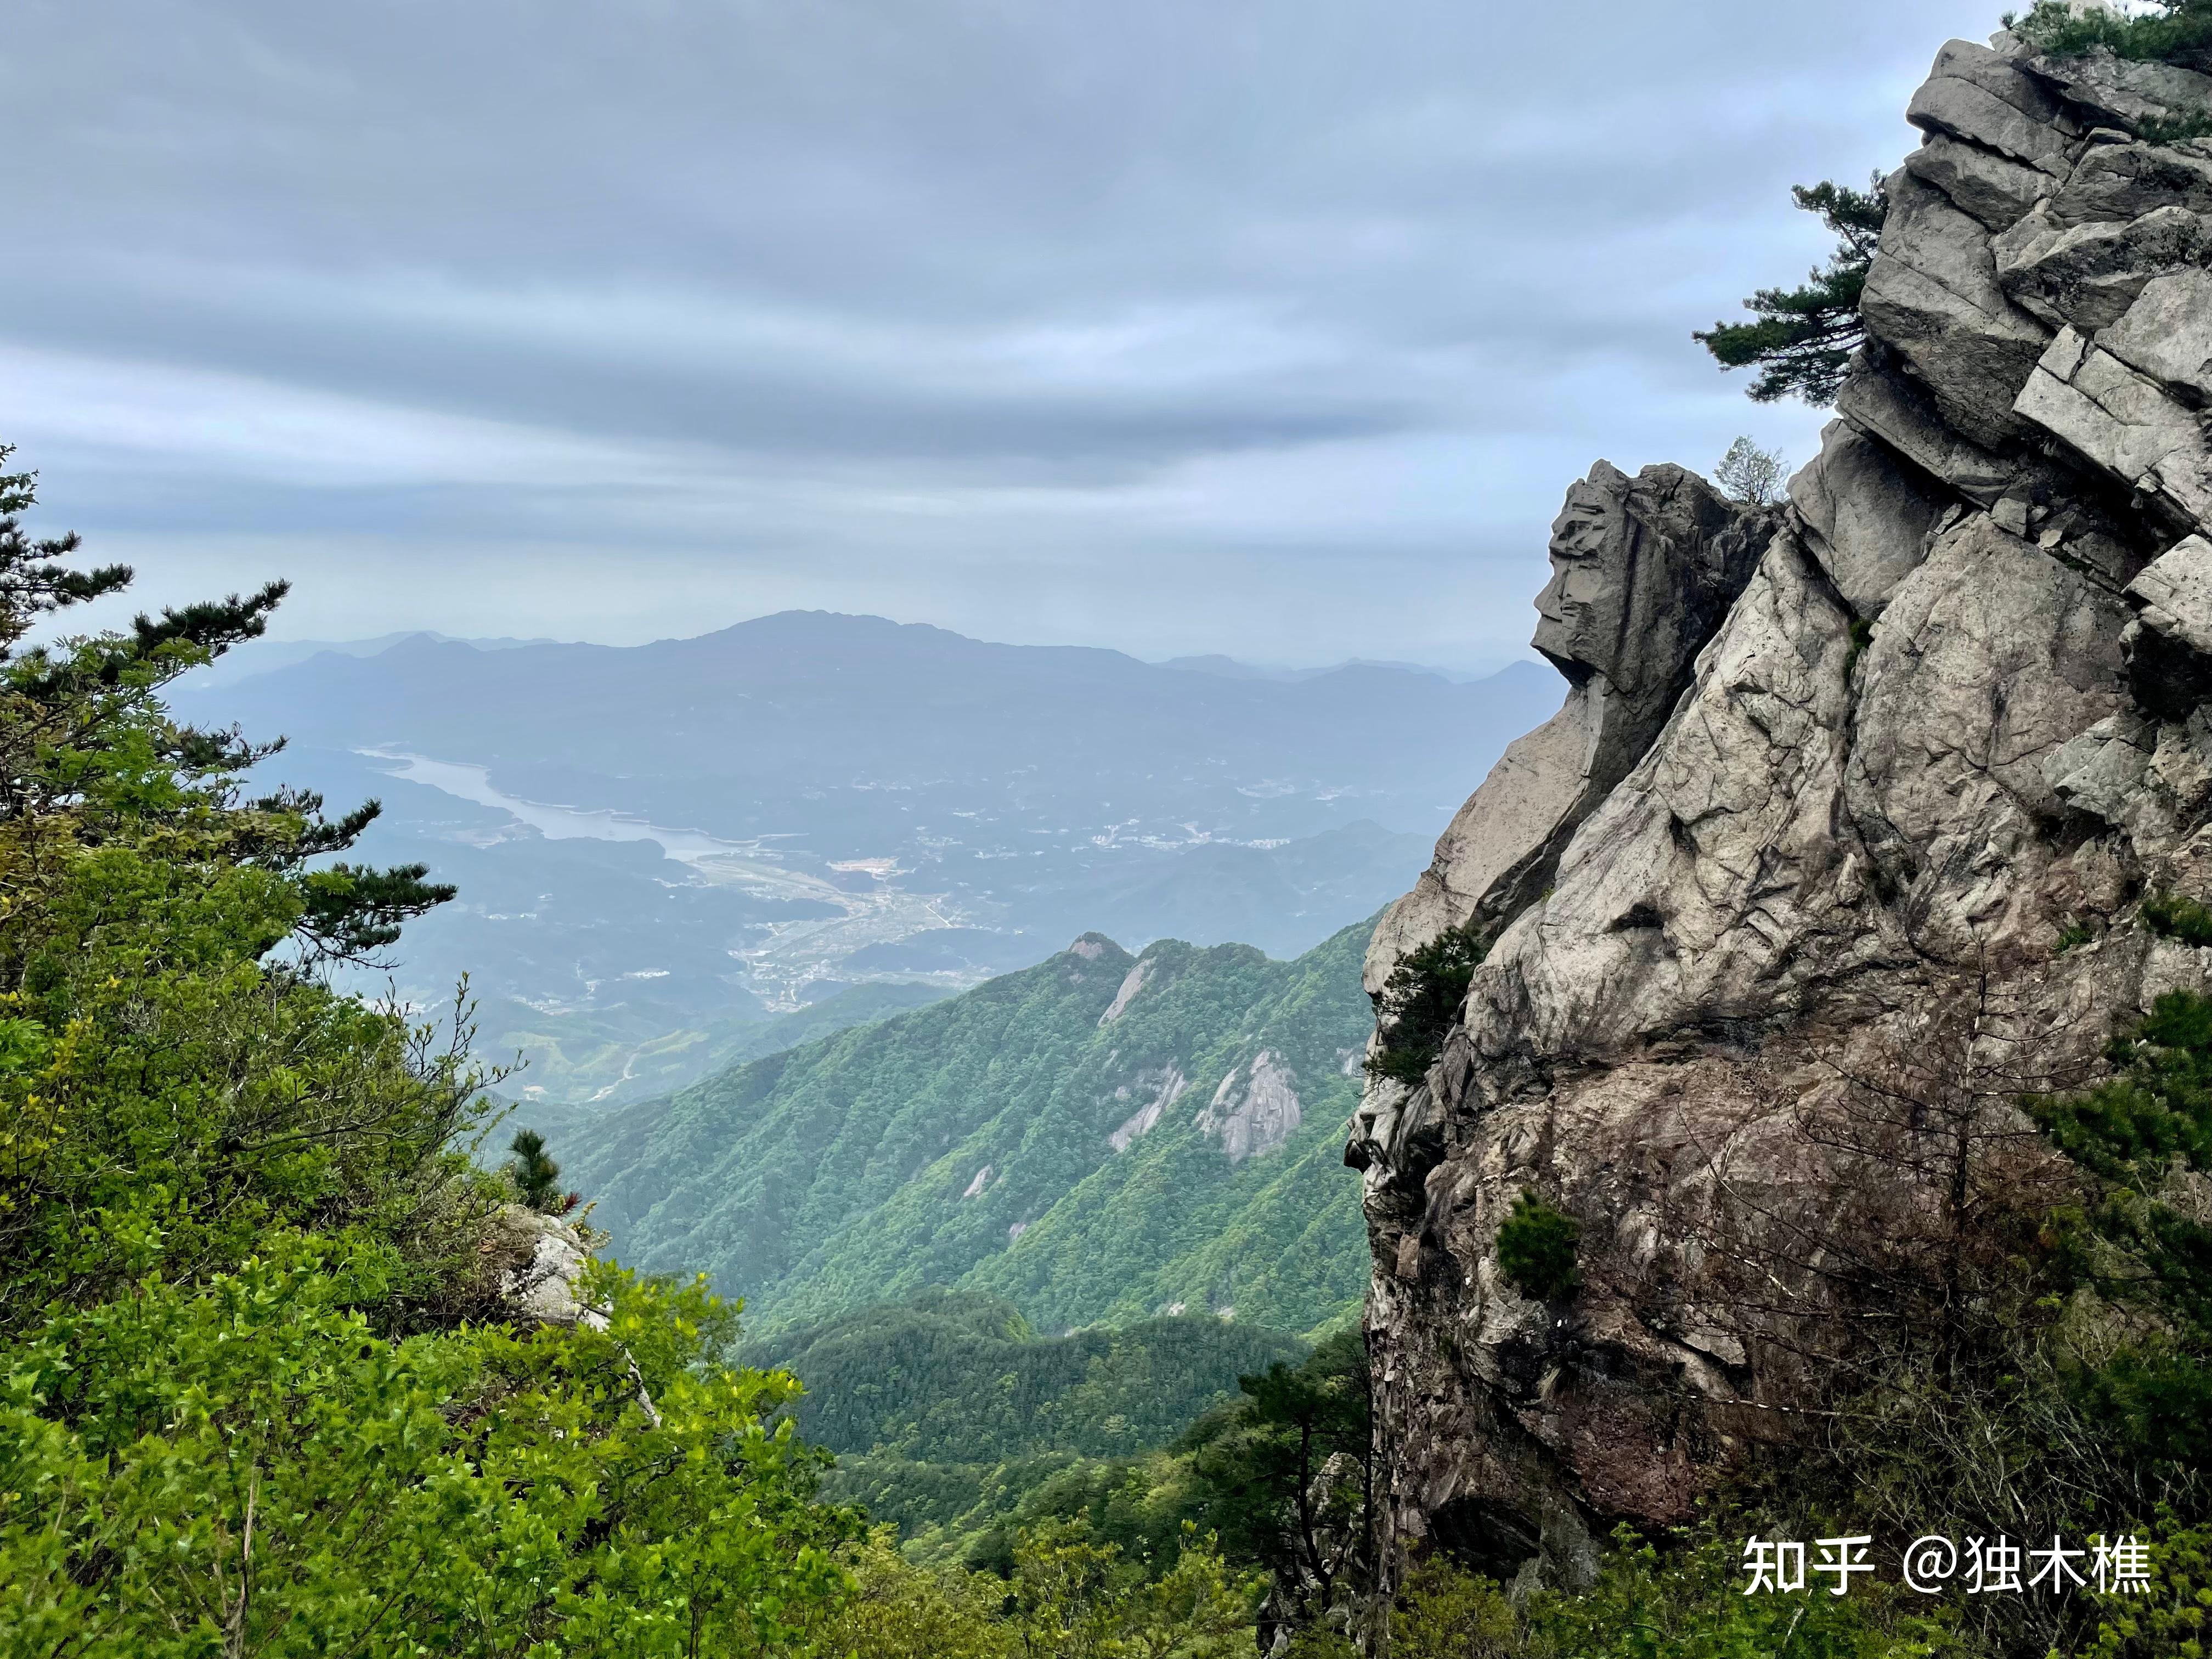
(658, 846)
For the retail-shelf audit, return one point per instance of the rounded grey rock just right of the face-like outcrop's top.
(1866, 517)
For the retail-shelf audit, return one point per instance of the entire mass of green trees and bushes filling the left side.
(242, 1246)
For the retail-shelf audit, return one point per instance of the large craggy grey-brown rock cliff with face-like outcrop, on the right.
(1815, 764)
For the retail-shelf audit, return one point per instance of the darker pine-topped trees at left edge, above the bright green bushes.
(176, 1076)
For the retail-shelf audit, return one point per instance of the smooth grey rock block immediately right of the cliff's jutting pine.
(1934, 298)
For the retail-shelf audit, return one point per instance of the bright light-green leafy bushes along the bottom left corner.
(247, 1468)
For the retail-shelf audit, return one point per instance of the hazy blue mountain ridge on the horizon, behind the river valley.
(713, 731)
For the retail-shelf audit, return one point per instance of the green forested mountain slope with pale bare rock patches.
(1098, 1138)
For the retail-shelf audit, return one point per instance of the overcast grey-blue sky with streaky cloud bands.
(1180, 326)
